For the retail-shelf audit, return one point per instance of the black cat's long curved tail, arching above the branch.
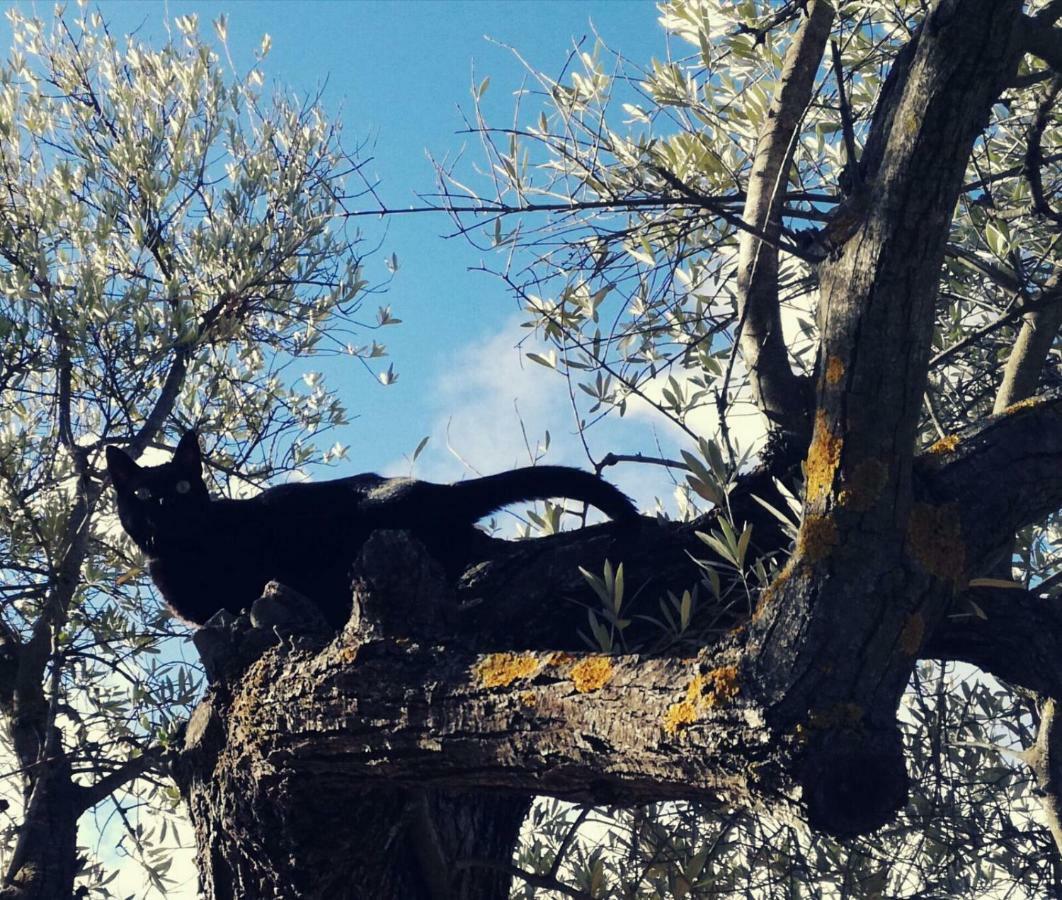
(482, 497)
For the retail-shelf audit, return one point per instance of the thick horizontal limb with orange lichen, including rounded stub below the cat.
(402, 707)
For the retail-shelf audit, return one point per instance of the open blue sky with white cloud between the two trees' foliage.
(399, 75)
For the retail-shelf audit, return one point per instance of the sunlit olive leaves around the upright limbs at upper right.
(640, 173)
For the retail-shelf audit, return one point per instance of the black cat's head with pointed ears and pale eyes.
(161, 504)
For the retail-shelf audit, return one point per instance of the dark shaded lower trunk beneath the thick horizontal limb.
(269, 831)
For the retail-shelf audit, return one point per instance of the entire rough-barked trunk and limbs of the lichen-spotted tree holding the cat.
(398, 758)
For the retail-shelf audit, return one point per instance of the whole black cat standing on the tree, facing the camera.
(204, 553)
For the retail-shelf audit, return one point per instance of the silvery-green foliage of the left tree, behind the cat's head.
(173, 249)
